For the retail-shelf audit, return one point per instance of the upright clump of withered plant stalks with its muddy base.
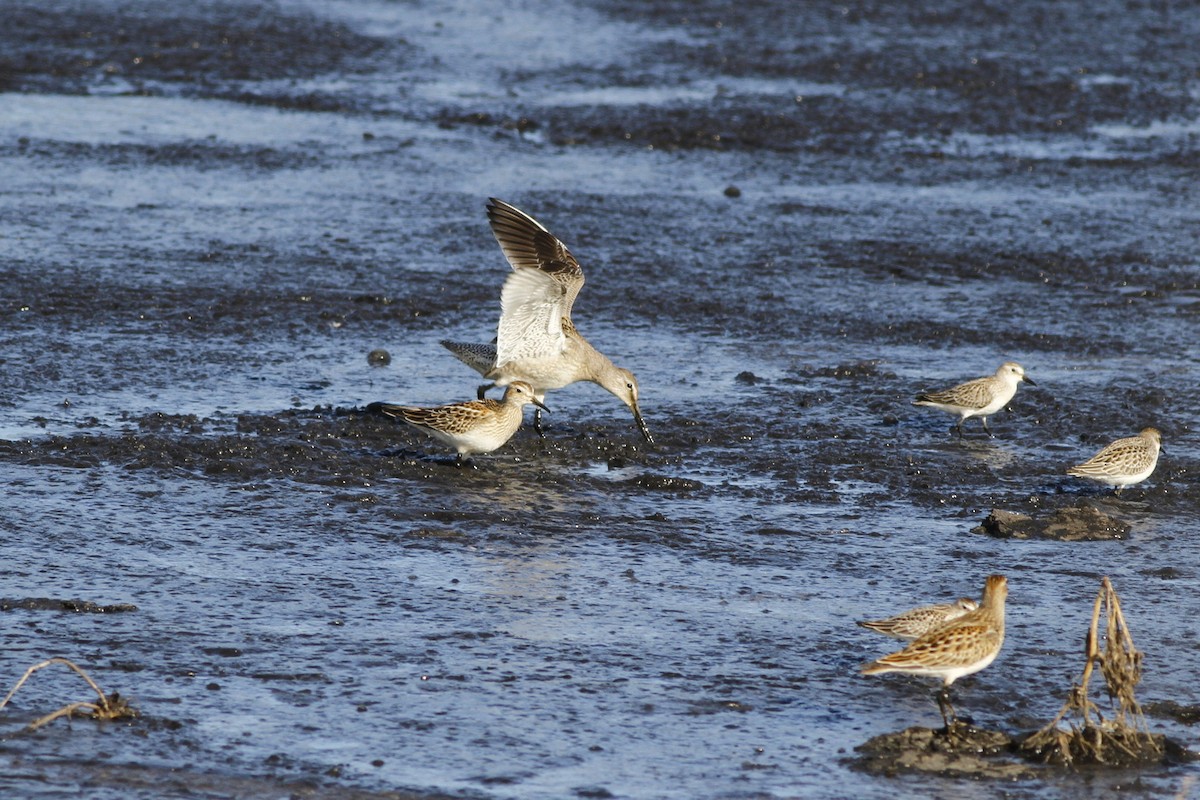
(1090, 738)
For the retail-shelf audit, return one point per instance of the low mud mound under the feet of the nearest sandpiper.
(963, 753)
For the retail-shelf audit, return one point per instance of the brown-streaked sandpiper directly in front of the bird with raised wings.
(471, 428)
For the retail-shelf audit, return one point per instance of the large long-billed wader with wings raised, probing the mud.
(537, 341)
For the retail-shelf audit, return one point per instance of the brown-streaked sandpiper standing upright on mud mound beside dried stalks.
(962, 647)
